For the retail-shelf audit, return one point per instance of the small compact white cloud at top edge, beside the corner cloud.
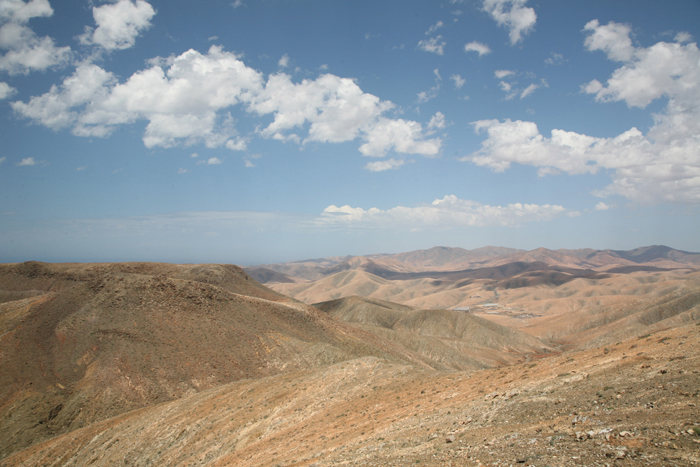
(118, 24)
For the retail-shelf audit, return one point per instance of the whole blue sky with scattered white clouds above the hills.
(254, 132)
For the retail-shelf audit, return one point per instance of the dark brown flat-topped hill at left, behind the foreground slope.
(94, 341)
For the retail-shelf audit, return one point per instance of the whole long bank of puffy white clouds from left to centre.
(187, 99)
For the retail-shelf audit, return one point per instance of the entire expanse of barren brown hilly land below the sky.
(444, 356)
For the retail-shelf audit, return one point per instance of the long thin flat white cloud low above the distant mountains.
(447, 212)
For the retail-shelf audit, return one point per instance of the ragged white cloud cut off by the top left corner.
(26, 51)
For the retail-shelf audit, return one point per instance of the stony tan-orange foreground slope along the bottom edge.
(632, 403)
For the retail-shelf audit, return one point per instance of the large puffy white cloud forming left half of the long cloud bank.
(182, 104)
